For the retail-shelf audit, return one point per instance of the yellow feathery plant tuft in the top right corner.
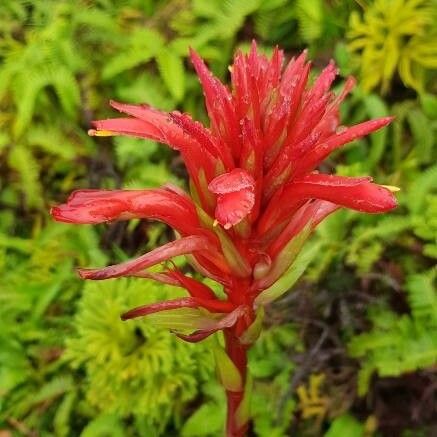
(394, 36)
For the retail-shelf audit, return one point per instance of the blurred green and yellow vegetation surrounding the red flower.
(352, 351)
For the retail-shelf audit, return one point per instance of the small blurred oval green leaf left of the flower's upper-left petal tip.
(171, 68)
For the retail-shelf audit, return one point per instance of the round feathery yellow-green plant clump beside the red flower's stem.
(148, 371)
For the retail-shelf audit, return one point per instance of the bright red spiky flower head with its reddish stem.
(255, 196)
